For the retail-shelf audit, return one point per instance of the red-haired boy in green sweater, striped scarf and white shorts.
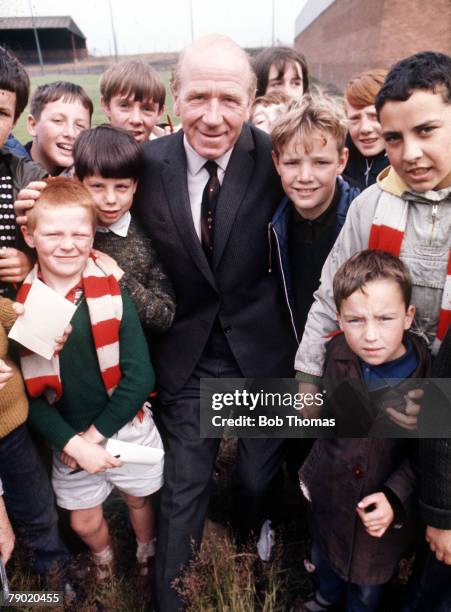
(96, 387)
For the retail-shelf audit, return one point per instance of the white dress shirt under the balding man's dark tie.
(198, 177)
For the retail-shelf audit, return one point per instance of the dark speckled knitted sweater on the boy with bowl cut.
(144, 280)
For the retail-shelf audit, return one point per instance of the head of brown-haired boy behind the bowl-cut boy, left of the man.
(132, 97)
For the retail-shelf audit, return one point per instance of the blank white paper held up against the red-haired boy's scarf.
(47, 314)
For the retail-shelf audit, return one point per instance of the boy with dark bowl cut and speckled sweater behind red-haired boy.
(108, 161)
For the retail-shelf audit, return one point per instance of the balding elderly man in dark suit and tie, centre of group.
(206, 198)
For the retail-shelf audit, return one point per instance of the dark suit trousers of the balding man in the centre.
(189, 462)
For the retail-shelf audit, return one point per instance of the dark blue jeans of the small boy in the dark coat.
(358, 597)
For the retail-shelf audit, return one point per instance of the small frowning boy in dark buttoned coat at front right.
(361, 490)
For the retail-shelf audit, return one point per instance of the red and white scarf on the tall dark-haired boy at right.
(387, 234)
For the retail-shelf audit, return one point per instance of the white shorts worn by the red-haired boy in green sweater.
(83, 490)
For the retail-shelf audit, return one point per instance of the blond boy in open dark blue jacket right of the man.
(309, 154)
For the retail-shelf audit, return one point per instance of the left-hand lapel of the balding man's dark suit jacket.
(176, 188)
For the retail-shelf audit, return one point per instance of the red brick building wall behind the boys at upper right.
(341, 38)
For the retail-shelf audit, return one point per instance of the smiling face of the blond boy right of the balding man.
(308, 174)
